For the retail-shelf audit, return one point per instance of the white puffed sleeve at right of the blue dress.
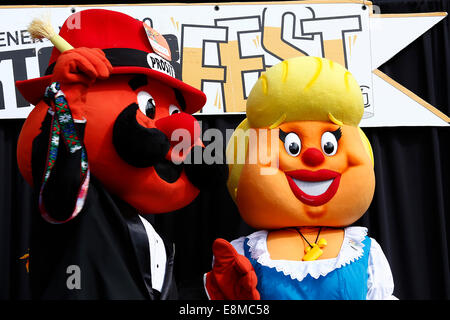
(380, 282)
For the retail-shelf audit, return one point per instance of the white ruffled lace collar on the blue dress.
(351, 250)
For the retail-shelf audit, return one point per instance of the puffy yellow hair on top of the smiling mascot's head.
(305, 88)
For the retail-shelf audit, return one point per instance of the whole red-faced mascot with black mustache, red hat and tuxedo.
(97, 151)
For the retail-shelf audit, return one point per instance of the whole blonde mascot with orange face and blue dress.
(301, 172)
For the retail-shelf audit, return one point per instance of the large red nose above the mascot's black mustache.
(185, 125)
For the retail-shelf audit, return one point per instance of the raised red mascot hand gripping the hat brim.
(76, 70)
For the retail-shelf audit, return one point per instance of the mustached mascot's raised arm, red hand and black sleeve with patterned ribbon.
(60, 161)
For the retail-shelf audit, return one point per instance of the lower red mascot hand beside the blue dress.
(232, 276)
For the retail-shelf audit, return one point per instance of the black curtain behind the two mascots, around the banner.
(408, 215)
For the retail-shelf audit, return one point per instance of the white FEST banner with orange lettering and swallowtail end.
(223, 49)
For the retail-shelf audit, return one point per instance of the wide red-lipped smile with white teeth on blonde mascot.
(314, 188)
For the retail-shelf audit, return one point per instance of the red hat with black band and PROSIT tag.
(125, 43)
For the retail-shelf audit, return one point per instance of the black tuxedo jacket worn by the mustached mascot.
(103, 253)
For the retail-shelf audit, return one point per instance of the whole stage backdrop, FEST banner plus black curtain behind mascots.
(409, 214)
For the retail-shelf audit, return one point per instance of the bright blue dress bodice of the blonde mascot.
(349, 282)
